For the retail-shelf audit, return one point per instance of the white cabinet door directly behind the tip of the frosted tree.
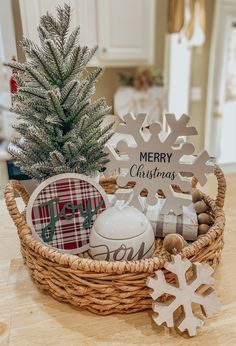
(83, 14)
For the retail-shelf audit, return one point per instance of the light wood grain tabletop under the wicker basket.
(29, 317)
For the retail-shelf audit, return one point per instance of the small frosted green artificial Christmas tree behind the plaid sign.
(60, 126)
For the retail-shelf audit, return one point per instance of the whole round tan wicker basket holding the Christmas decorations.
(109, 287)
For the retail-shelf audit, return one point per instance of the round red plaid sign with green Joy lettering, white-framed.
(62, 210)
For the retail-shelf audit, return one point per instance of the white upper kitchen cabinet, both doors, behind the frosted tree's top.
(122, 29)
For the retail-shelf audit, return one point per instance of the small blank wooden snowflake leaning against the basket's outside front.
(184, 294)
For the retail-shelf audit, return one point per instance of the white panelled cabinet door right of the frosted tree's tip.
(126, 32)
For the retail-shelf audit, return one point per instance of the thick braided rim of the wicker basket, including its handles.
(148, 265)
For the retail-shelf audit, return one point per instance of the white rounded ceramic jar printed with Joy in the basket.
(121, 234)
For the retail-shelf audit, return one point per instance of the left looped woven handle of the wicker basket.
(12, 187)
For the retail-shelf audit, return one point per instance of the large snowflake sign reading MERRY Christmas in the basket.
(156, 161)
